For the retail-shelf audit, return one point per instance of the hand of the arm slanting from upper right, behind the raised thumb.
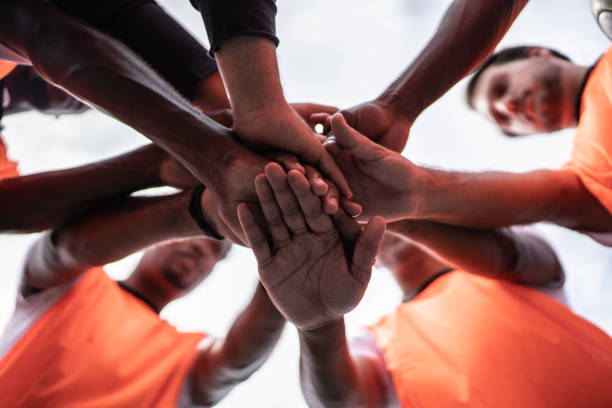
(376, 120)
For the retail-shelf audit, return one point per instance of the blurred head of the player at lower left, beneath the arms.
(172, 269)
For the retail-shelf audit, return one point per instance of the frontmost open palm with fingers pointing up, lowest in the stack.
(310, 274)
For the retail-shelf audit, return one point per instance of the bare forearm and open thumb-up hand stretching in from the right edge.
(388, 184)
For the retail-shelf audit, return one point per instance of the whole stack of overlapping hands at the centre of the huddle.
(297, 206)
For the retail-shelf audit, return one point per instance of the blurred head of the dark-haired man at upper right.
(524, 90)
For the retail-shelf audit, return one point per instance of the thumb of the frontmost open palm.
(366, 248)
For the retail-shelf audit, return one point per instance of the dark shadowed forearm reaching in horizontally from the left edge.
(67, 194)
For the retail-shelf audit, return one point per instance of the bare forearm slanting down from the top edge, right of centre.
(468, 32)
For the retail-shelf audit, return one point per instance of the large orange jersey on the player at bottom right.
(469, 341)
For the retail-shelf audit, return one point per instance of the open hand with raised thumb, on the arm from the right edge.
(380, 178)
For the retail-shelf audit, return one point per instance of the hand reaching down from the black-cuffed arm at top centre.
(279, 127)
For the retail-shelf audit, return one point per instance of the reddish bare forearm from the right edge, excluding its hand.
(493, 199)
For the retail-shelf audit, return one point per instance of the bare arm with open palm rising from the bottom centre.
(309, 258)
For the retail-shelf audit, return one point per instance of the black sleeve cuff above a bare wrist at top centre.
(225, 19)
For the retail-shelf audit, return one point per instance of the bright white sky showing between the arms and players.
(341, 53)
